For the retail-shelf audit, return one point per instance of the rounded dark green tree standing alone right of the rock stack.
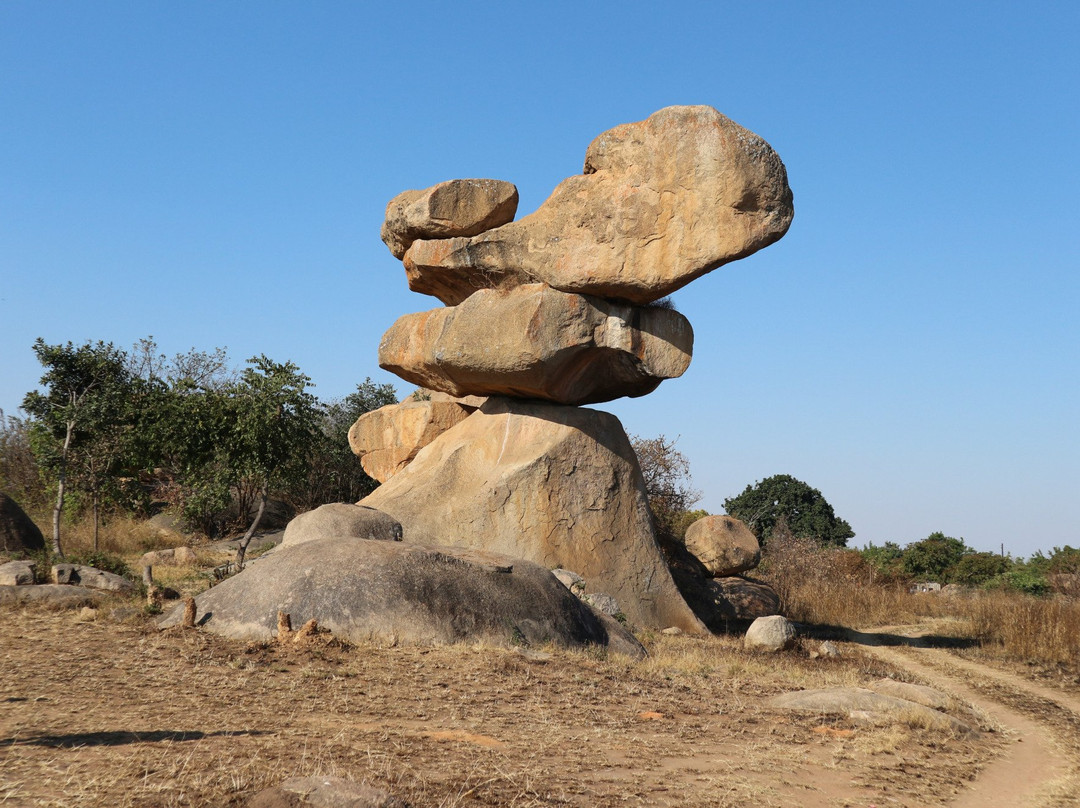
(785, 500)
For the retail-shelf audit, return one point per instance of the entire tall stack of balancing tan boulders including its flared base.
(550, 313)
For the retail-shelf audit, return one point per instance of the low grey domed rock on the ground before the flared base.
(391, 590)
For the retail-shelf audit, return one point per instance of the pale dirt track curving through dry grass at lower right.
(1039, 767)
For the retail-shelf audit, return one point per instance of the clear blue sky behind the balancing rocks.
(215, 174)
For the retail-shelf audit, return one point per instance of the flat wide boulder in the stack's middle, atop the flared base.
(534, 342)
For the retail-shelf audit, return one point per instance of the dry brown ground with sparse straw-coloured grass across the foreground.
(100, 712)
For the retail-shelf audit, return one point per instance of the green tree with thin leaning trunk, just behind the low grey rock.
(275, 420)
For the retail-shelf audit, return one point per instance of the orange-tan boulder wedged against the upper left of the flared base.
(386, 440)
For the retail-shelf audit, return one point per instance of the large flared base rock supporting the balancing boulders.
(557, 486)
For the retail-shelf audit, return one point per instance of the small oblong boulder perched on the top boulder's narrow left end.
(455, 208)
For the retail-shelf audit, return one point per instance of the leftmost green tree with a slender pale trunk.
(79, 418)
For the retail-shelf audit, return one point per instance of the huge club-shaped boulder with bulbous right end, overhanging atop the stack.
(661, 203)
